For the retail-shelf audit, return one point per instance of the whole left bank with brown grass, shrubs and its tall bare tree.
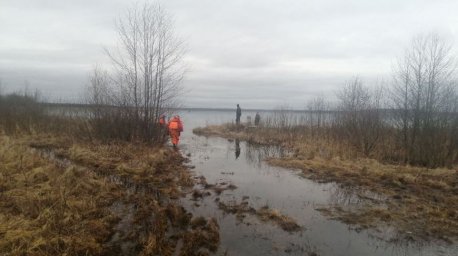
(71, 184)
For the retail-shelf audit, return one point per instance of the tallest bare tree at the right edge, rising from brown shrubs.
(423, 95)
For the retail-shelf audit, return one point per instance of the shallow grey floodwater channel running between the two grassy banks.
(259, 185)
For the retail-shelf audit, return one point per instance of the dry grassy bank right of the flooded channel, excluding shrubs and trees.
(419, 203)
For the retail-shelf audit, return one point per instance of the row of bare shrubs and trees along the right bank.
(412, 120)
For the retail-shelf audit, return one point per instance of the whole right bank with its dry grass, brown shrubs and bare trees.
(406, 150)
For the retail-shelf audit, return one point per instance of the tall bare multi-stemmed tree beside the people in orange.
(147, 69)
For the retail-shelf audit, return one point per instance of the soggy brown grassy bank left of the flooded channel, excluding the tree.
(60, 197)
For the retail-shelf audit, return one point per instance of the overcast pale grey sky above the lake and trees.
(258, 53)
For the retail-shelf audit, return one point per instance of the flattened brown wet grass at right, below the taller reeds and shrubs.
(419, 201)
